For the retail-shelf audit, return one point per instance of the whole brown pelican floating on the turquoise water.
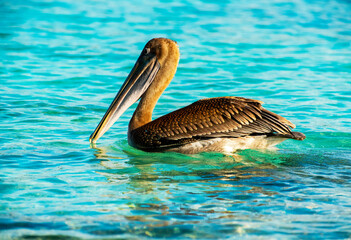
(221, 124)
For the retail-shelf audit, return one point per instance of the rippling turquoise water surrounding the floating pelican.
(62, 63)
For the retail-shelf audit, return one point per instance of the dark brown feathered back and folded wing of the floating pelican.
(222, 117)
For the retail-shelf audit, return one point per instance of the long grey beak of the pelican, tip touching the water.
(137, 82)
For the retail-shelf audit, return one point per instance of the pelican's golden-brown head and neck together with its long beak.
(149, 77)
